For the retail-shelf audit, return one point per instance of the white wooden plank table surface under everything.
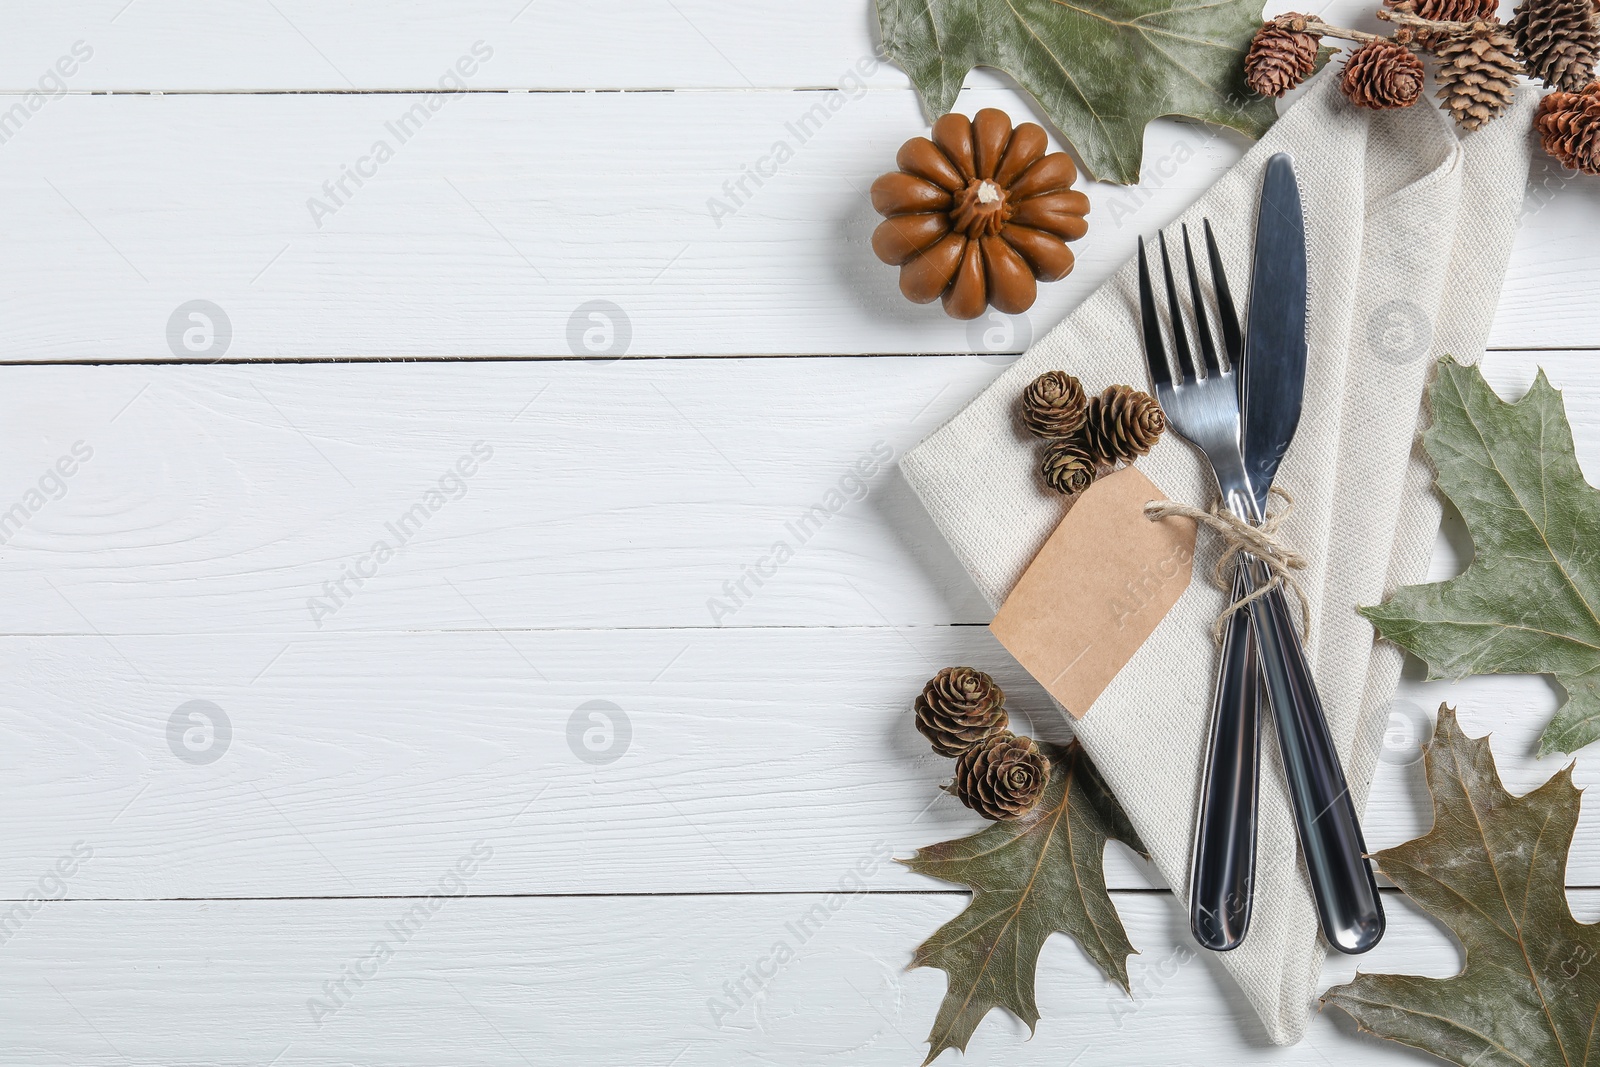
(510, 791)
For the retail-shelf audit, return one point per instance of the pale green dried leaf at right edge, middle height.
(1527, 605)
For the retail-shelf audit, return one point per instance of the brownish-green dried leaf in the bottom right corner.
(1492, 869)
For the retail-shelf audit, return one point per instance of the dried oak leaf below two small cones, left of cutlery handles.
(1030, 879)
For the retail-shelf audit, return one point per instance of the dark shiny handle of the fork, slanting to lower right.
(1343, 884)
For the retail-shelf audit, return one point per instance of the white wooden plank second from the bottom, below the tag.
(606, 762)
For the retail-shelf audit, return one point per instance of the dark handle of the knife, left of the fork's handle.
(1225, 858)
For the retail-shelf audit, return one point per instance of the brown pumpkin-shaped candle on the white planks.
(978, 214)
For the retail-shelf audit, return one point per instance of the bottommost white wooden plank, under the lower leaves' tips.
(615, 981)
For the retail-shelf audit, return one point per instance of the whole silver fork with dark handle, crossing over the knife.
(1204, 410)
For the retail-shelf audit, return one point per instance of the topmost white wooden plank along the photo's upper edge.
(303, 46)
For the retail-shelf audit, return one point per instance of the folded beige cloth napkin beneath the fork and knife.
(1409, 231)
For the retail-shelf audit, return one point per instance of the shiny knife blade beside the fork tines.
(1274, 380)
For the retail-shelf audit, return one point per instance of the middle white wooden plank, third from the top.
(638, 494)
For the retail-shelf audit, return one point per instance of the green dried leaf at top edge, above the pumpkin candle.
(1102, 70)
